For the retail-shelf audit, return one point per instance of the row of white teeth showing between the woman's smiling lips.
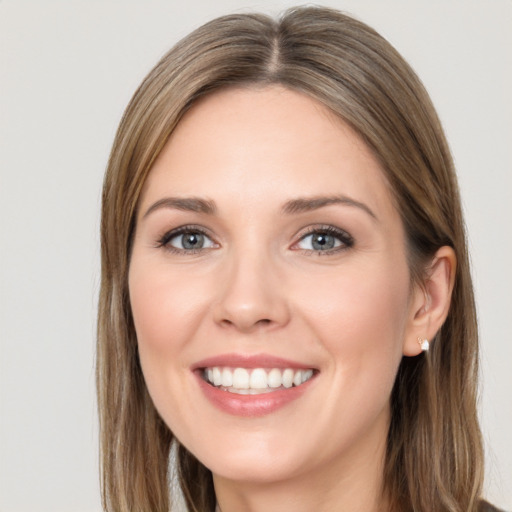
(244, 381)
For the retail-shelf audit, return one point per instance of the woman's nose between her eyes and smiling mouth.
(252, 295)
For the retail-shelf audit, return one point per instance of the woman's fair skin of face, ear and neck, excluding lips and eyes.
(258, 286)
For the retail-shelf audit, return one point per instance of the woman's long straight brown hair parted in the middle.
(434, 453)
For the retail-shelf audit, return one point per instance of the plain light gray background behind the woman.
(67, 70)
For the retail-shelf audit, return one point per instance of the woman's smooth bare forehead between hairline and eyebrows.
(265, 144)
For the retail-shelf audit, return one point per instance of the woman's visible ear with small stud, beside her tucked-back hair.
(430, 301)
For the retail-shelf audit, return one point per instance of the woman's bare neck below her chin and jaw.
(354, 483)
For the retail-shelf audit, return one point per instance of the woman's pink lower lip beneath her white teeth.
(251, 405)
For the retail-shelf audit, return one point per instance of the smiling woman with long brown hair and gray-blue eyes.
(286, 295)
